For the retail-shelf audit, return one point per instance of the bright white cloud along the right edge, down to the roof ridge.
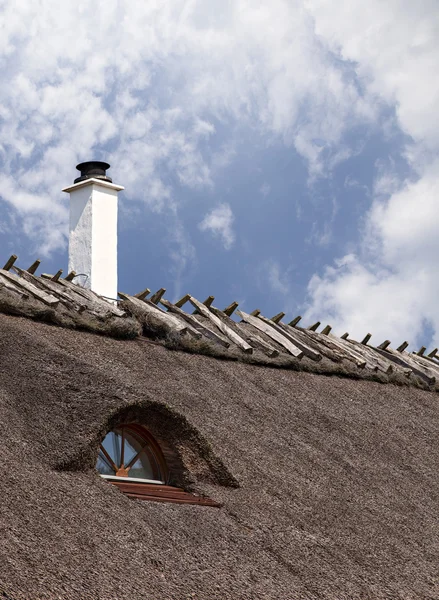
(390, 285)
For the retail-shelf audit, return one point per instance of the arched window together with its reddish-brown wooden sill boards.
(131, 459)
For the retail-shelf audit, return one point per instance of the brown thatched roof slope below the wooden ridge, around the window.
(338, 478)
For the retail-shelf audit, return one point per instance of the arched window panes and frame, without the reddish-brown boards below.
(130, 452)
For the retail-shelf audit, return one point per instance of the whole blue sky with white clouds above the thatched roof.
(278, 153)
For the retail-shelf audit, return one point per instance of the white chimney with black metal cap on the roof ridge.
(93, 229)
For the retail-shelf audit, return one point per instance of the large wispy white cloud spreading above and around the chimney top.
(144, 86)
